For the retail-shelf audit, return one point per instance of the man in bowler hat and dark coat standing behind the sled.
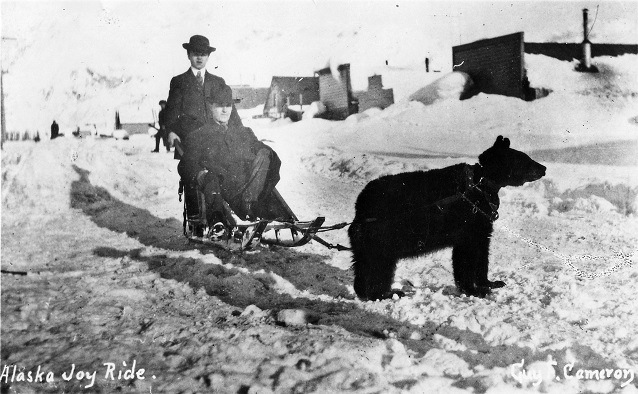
(188, 91)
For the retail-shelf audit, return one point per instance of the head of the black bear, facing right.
(508, 167)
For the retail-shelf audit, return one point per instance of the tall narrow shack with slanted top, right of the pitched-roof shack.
(335, 92)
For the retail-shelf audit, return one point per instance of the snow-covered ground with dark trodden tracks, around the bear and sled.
(96, 226)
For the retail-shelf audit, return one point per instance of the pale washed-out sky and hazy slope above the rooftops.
(256, 40)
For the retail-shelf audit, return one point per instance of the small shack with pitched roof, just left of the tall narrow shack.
(290, 91)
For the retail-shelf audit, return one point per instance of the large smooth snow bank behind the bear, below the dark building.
(563, 119)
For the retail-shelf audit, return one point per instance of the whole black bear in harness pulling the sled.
(414, 213)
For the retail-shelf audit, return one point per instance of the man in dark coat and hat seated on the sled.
(229, 164)
